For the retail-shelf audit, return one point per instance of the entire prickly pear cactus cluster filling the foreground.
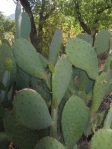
(53, 103)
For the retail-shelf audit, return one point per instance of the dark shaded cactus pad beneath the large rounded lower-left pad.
(21, 136)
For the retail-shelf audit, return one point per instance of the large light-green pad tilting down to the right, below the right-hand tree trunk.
(82, 55)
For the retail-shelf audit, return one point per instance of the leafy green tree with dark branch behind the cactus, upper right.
(91, 15)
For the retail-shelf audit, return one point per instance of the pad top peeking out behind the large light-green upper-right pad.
(86, 37)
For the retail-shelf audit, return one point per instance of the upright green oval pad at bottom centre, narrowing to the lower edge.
(74, 120)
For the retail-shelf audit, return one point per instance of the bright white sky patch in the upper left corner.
(7, 7)
